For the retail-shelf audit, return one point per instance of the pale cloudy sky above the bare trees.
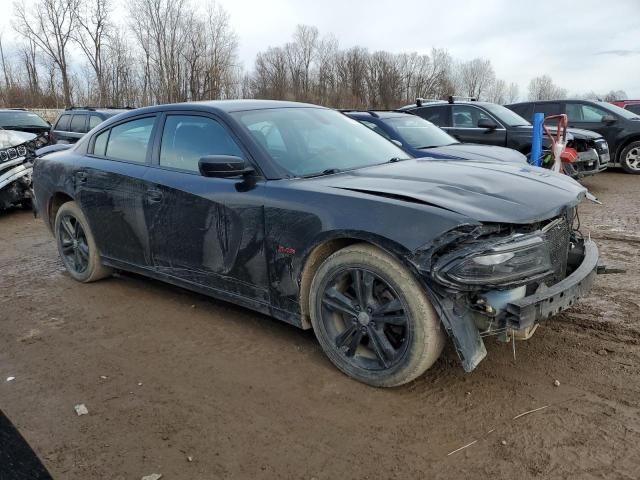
(585, 45)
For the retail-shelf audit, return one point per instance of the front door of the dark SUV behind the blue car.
(465, 127)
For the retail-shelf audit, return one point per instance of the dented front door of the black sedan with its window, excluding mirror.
(207, 231)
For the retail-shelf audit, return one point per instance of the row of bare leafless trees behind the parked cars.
(71, 52)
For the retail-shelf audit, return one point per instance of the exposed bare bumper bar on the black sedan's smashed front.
(552, 300)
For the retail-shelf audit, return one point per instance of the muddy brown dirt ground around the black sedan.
(167, 375)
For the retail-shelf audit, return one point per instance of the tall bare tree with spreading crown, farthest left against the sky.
(49, 24)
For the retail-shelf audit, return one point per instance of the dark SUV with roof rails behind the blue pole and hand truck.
(492, 124)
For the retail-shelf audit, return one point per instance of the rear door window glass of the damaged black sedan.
(129, 141)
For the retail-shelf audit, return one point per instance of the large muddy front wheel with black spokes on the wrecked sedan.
(397, 314)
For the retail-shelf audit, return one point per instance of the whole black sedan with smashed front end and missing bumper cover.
(301, 213)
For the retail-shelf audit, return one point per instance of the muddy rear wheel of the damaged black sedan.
(77, 246)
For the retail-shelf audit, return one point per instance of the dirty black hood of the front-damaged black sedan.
(483, 191)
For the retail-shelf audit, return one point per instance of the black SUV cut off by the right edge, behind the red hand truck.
(620, 127)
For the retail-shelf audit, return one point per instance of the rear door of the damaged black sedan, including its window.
(111, 190)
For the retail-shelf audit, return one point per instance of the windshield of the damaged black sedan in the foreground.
(311, 141)
